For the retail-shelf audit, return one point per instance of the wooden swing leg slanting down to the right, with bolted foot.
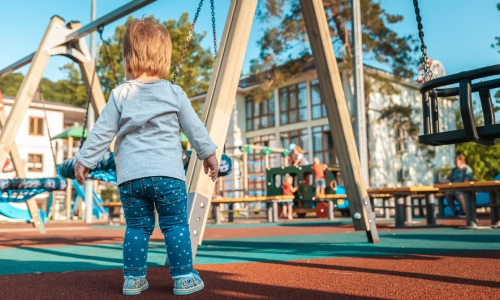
(338, 116)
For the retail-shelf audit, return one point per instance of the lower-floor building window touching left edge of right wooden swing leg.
(323, 145)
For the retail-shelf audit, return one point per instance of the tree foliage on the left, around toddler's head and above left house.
(194, 75)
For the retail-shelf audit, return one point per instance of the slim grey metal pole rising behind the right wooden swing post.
(359, 90)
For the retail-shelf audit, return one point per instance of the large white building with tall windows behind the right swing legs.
(296, 114)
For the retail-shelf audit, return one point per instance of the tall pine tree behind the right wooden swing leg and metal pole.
(287, 39)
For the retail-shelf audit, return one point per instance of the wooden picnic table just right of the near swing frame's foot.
(404, 196)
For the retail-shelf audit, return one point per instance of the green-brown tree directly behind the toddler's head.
(196, 68)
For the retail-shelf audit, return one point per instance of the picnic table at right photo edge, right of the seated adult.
(469, 189)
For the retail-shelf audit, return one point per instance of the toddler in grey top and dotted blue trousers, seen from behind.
(146, 115)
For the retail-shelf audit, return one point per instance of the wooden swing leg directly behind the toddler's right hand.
(218, 108)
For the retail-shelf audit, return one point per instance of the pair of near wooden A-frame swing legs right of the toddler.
(220, 100)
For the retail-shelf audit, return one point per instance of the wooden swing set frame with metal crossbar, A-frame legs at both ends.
(70, 41)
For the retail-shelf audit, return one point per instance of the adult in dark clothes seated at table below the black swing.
(460, 173)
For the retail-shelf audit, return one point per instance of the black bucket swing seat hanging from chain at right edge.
(433, 89)
